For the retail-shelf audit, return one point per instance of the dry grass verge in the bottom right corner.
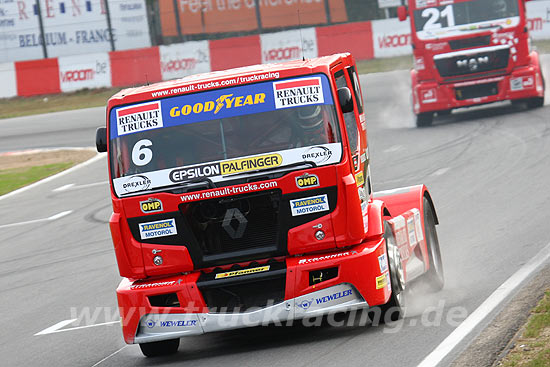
(532, 349)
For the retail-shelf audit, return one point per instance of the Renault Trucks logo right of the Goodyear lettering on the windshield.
(298, 92)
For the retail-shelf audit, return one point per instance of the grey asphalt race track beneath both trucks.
(487, 169)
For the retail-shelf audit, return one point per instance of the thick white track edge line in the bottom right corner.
(499, 295)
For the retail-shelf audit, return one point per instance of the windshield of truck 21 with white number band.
(463, 16)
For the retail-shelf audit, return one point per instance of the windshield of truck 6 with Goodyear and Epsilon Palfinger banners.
(217, 135)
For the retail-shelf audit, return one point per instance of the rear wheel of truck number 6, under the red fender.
(434, 276)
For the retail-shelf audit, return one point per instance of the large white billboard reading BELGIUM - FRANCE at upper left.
(71, 27)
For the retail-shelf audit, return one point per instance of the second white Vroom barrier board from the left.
(179, 60)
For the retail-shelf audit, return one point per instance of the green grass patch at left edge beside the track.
(15, 178)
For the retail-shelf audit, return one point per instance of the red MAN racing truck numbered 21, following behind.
(470, 52)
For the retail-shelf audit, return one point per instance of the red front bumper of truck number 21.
(522, 83)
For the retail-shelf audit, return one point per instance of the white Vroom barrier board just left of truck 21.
(391, 38)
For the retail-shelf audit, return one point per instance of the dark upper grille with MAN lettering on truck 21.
(476, 61)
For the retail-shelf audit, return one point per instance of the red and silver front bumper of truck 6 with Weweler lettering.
(359, 284)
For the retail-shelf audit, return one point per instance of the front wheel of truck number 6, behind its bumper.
(393, 309)
